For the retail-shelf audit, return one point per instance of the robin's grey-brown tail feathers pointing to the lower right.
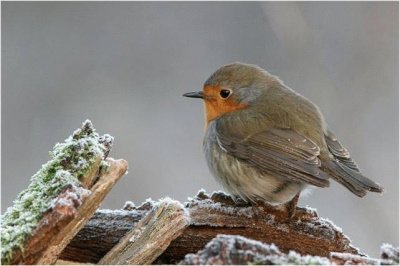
(352, 180)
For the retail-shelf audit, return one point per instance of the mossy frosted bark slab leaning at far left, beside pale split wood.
(54, 194)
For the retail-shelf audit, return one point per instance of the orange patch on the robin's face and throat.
(216, 106)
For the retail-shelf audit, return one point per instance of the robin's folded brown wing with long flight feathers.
(279, 152)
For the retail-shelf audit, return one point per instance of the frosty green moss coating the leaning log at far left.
(70, 161)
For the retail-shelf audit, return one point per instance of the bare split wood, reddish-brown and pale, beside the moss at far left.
(62, 223)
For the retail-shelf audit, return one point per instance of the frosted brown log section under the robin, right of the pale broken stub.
(306, 233)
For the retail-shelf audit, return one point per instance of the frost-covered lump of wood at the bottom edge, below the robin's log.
(237, 250)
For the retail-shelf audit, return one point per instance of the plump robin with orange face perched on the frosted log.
(265, 142)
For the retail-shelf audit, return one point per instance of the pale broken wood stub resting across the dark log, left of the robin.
(151, 236)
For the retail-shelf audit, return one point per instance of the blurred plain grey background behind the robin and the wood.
(125, 65)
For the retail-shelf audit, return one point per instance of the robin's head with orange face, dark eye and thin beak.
(231, 88)
